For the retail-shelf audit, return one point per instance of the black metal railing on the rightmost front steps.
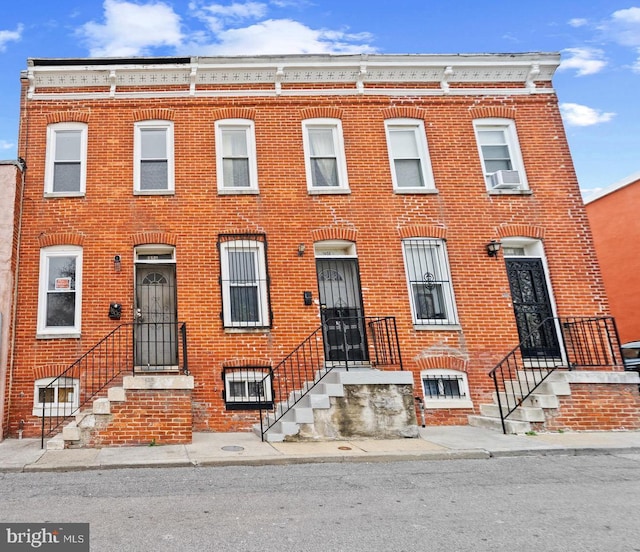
(581, 342)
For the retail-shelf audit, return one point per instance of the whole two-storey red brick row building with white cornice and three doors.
(248, 199)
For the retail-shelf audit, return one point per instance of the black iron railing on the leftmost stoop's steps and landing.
(135, 347)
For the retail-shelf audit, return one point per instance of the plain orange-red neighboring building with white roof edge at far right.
(615, 222)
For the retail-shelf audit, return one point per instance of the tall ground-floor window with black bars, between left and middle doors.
(245, 285)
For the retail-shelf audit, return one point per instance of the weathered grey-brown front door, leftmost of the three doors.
(156, 336)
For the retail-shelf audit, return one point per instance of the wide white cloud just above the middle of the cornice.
(284, 36)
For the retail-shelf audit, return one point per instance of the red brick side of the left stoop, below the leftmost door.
(148, 417)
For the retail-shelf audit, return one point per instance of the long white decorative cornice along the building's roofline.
(285, 73)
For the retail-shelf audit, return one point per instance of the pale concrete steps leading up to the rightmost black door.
(531, 410)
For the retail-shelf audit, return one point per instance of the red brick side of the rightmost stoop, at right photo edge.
(597, 407)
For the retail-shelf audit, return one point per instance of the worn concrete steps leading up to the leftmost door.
(78, 431)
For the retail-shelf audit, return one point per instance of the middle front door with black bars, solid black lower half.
(341, 310)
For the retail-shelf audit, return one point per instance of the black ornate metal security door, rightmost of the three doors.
(531, 305)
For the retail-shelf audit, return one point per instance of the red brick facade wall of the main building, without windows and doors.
(108, 219)
